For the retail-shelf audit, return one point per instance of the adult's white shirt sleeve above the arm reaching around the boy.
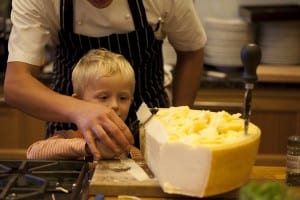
(35, 25)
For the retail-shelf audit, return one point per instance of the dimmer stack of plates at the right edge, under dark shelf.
(280, 42)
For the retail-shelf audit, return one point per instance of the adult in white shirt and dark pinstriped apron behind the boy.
(133, 28)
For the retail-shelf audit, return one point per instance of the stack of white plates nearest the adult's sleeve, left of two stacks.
(225, 39)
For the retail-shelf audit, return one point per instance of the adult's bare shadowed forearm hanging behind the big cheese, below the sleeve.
(187, 76)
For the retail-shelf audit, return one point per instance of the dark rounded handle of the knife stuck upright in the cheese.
(250, 56)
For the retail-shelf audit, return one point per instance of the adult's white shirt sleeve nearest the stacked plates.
(183, 26)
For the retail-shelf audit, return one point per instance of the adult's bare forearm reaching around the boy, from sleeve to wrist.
(23, 91)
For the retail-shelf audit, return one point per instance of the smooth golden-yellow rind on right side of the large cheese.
(231, 166)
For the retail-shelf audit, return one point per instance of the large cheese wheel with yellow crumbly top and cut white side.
(199, 153)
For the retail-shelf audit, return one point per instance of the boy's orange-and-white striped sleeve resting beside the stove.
(60, 146)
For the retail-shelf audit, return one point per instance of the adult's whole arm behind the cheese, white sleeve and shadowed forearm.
(188, 40)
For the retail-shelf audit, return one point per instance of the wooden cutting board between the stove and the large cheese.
(124, 177)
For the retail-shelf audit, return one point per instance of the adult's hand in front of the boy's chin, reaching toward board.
(97, 122)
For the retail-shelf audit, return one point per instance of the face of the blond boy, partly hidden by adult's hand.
(113, 92)
